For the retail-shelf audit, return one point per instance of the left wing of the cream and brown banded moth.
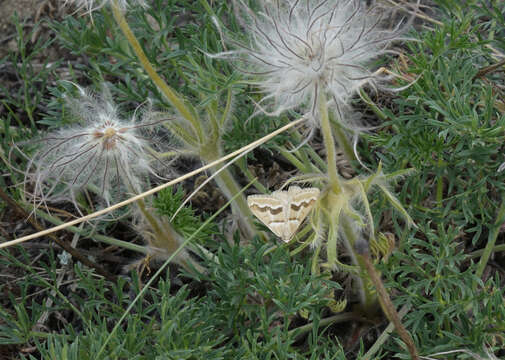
(270, 210)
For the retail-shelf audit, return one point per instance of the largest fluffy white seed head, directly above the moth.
(302, 48)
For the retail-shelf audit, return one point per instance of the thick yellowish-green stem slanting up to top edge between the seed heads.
(172, 96)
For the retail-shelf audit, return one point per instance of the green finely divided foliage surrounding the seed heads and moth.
(259, 301)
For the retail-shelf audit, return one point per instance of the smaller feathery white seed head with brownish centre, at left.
(108, 155)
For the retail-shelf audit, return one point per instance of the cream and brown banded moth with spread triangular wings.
(283, 211)
